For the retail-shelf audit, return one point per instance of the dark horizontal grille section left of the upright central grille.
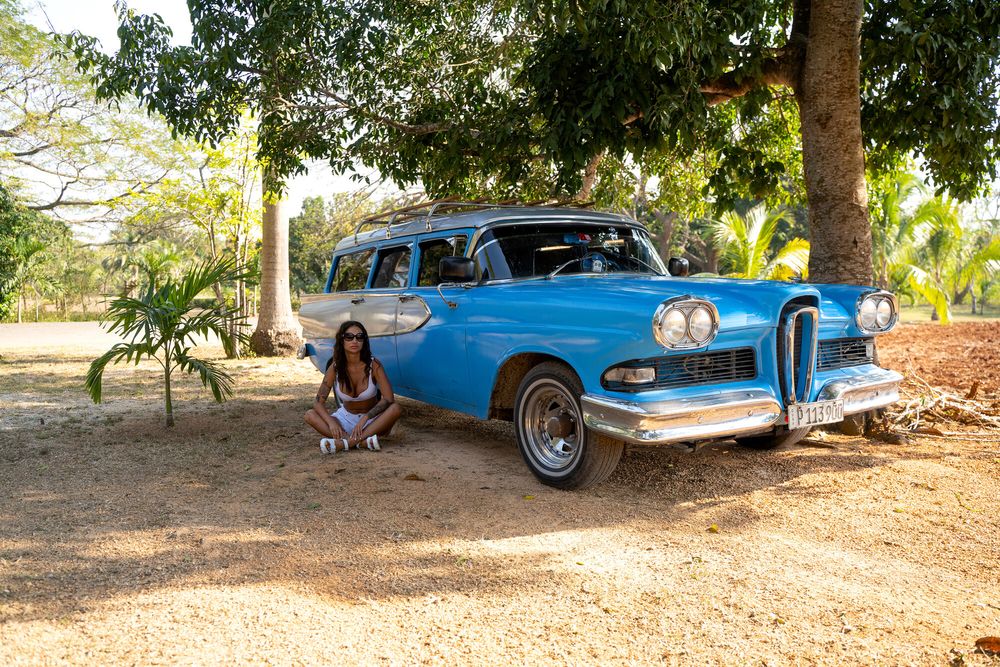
(686, 370)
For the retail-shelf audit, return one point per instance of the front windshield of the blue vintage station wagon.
(536, 250)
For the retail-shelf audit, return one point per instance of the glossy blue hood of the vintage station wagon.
(741, 303)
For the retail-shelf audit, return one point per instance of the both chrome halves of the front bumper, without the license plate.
(725, 414)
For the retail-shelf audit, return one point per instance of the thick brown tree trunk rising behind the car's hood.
(829, 102)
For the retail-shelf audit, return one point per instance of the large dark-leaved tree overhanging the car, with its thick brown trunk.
(527, 97)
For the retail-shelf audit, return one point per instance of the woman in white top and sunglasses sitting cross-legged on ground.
(356, 377)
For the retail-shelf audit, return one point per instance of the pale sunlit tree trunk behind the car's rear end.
(278, 333)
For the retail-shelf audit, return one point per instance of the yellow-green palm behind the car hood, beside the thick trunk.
(745, 241)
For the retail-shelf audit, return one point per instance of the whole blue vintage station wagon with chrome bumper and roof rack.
(566, 322)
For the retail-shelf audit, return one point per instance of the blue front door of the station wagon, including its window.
(432, 362)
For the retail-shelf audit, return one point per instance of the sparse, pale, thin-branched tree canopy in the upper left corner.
(61, 151)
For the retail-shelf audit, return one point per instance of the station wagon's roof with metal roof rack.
(417, 222)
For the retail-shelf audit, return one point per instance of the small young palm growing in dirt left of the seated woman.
(162, 323)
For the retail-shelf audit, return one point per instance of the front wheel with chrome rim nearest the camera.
(558, 448)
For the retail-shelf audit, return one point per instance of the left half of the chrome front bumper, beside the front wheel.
(718, 415)
